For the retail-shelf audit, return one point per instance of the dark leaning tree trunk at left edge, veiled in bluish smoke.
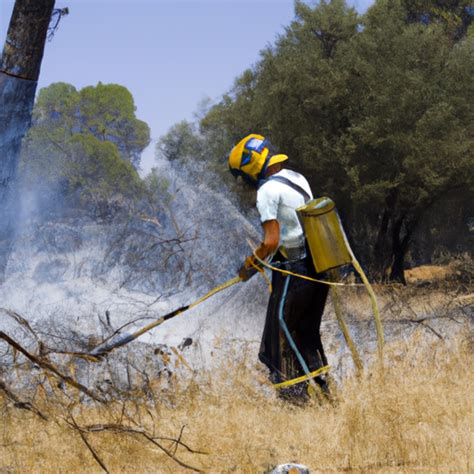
(19, 71)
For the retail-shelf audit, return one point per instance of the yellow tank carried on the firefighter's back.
(324, 233)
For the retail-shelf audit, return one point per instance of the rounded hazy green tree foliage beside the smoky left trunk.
(83, 147)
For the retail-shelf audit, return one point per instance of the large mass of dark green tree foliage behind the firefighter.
(375, 110)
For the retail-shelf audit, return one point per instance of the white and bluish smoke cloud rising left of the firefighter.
(72, 268)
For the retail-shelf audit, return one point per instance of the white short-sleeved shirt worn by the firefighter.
(277, 200)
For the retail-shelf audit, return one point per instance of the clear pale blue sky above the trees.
(170, 54)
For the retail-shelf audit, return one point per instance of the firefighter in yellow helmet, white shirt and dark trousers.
(291, 342)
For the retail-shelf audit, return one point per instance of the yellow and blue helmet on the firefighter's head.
(251, 157)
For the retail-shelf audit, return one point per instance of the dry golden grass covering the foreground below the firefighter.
(417, 417)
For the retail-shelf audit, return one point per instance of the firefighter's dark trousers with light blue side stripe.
(302, 307)
